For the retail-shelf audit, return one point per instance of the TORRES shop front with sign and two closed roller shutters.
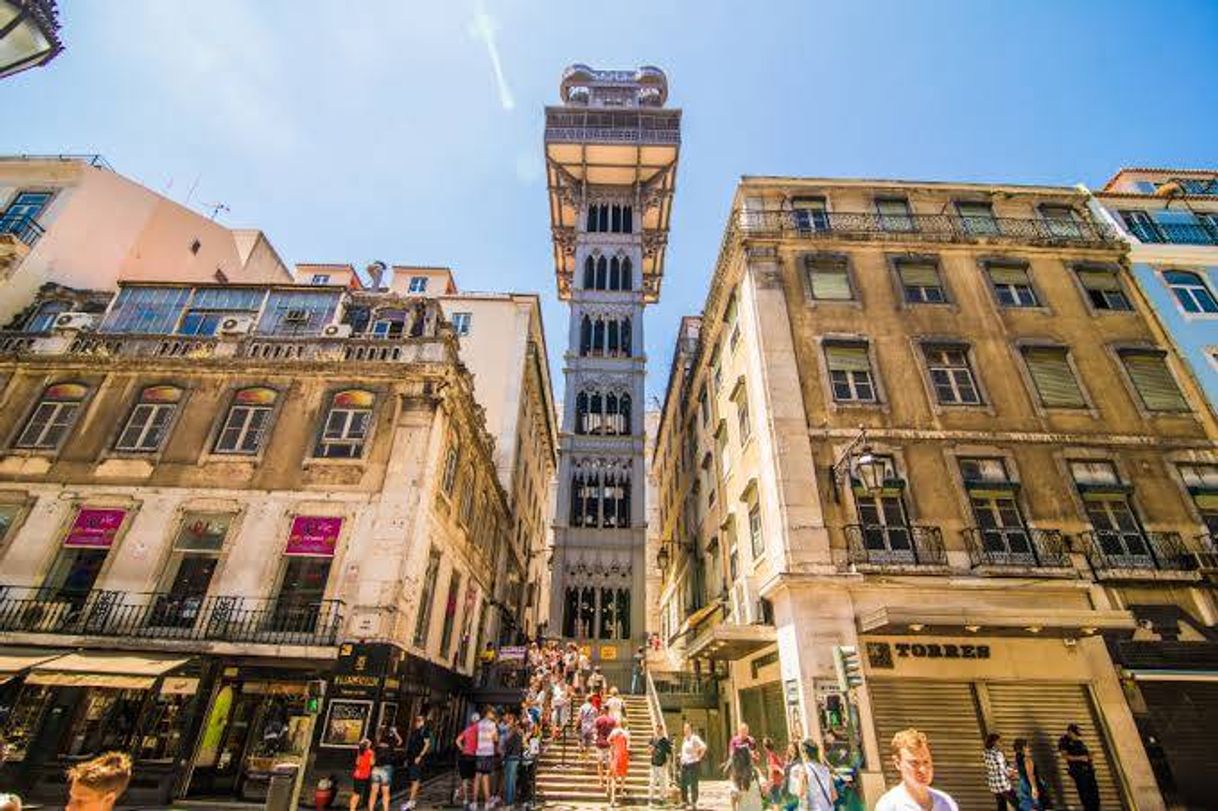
(957, 690)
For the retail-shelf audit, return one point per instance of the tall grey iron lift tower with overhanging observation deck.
(612, 153)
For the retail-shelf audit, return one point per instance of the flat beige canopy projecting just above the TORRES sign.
(996, 622)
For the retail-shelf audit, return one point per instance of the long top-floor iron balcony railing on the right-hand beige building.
(941, 228)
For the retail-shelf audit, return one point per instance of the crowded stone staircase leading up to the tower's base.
(562, 778)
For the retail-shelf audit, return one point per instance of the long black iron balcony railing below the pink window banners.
(171, 617)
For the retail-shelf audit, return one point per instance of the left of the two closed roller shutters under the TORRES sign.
(947, 713)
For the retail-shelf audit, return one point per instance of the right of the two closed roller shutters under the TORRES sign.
(1041, 713)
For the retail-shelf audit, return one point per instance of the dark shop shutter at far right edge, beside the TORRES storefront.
(1186, 717)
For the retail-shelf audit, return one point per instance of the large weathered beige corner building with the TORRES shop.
(932, 432)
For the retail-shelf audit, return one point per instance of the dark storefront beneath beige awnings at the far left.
(77, 706)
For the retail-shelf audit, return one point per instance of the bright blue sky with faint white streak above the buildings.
(379, 130)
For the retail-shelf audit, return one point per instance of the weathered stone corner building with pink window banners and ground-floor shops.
(241, 525)
